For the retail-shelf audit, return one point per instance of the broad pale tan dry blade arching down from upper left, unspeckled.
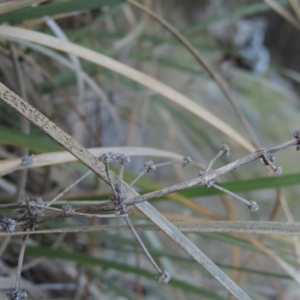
(141, 78)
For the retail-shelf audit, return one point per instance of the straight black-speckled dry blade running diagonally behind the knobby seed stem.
(98, 168)
